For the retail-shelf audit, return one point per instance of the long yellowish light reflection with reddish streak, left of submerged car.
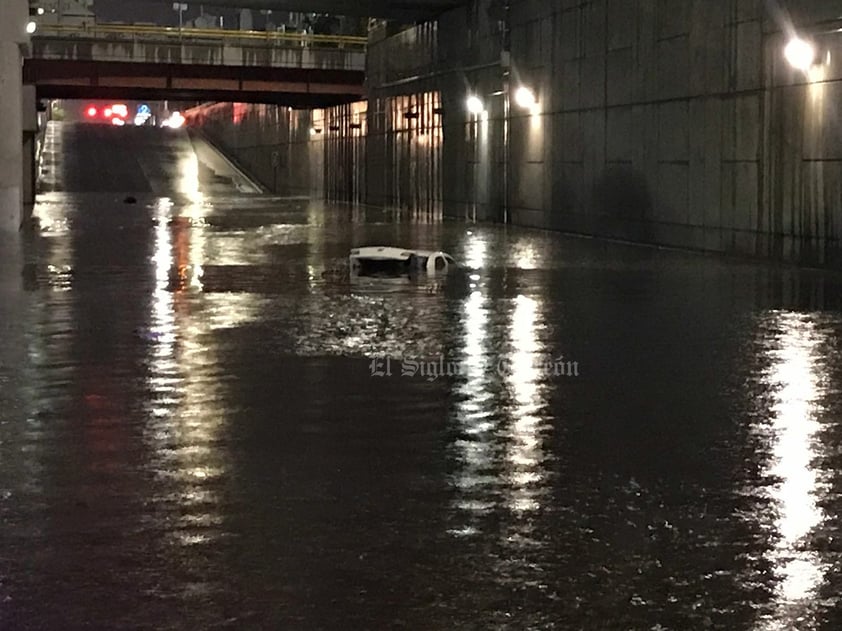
(185, 420)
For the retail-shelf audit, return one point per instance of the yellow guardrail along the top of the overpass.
(112, 32)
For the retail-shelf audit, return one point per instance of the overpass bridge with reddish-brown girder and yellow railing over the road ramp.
(155, 63)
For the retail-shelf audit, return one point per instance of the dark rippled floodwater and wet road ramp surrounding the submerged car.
(199, 429)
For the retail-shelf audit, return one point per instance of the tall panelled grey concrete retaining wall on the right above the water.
(678, 122)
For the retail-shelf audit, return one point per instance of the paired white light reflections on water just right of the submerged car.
(500, 463)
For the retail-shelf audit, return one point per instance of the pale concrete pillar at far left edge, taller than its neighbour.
(12, 38)
